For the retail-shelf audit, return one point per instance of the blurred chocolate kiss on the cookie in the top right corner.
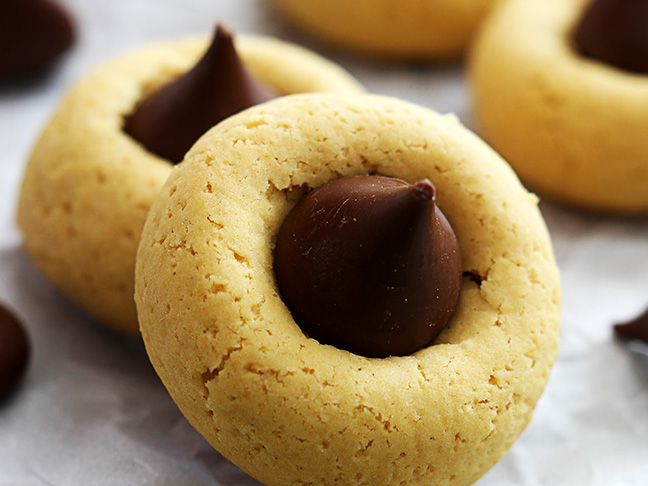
(615, 32)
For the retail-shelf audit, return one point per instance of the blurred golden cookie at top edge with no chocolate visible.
(406, 29)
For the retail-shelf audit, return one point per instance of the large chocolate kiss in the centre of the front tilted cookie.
(369, 264)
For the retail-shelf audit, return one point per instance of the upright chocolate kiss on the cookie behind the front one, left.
(171, 119)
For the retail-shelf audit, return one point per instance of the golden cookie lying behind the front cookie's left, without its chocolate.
(88, 186)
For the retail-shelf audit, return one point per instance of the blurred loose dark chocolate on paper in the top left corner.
(33, 35)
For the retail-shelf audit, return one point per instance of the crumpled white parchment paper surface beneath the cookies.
(92, 411)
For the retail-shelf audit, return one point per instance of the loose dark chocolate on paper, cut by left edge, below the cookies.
(14, 352)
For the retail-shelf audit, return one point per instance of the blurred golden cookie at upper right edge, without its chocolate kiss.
(572, 127)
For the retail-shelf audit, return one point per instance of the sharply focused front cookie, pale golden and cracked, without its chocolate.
(290, 410)
